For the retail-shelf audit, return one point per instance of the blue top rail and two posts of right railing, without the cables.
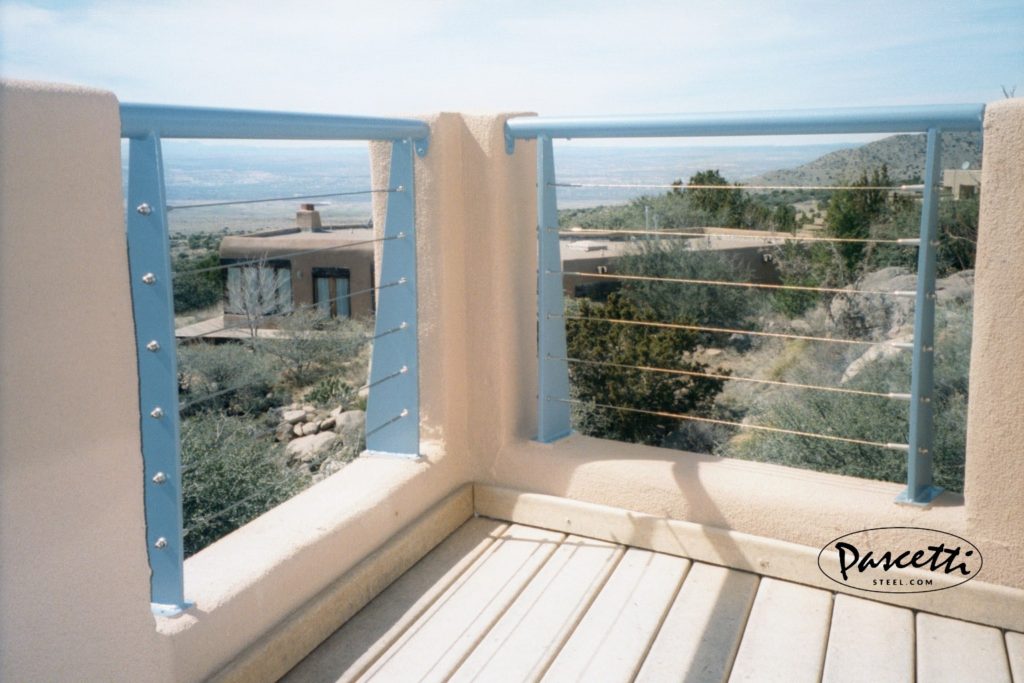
(553, 413)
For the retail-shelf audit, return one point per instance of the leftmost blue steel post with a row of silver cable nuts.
(150, 266)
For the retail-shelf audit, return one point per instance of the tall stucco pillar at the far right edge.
(996, 413)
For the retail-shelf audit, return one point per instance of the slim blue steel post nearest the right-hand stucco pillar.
(920, 489)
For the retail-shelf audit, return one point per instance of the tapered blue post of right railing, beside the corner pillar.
(553, 375)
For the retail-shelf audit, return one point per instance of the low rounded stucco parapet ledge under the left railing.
(246, 584)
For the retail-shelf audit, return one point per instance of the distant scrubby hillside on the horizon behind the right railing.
(904, 154)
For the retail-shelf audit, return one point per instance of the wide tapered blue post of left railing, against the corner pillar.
(394, 405)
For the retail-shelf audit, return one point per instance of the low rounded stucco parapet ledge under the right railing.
(760, 499)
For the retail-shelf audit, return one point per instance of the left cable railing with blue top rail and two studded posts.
(396, 393)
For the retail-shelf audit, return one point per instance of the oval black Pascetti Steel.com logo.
(901, 560)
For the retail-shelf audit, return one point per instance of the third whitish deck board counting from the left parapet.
(531, 634)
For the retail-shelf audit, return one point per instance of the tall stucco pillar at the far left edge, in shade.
(74, 578)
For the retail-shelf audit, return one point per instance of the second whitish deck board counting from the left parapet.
(435, 647)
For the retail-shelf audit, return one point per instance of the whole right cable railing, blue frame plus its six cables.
(556, 399)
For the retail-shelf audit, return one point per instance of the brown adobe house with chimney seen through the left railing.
(330, 269)
